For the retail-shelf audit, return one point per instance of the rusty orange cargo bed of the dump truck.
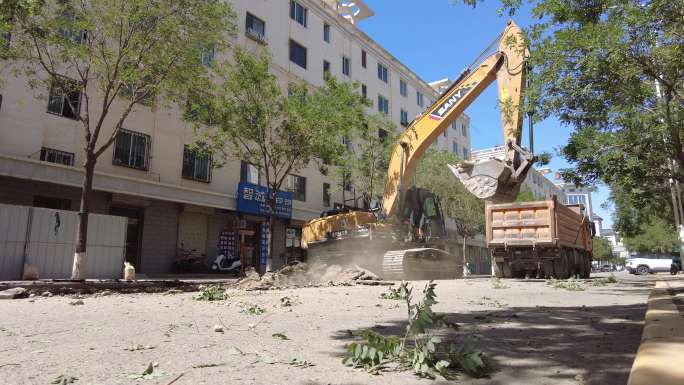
(542, 223)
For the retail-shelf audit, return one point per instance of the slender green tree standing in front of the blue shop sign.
(248, 117)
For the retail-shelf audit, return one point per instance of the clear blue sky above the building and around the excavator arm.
(440, 38)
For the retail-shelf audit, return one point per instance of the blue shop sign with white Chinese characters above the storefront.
(253, 199)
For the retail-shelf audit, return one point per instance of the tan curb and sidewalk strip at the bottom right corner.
(661, 353)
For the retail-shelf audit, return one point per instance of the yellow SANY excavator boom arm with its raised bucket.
(507, 66)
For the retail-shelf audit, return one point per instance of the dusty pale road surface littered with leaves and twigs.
(534, 334)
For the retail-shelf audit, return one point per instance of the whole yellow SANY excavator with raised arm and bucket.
(406, 237)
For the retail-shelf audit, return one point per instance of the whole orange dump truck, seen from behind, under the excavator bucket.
(541, 239)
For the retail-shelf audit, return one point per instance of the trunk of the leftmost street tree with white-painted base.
(78, 268)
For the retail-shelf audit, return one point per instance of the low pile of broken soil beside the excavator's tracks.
(304, 275)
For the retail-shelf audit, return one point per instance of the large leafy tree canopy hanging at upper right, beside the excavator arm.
(612, 70)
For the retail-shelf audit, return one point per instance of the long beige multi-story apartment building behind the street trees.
(176, 201)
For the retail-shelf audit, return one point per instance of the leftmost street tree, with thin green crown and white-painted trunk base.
(118, 55)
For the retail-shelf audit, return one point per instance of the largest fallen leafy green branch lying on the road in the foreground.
(418, 350)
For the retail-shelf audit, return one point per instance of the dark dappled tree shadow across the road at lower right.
(546, 345)
